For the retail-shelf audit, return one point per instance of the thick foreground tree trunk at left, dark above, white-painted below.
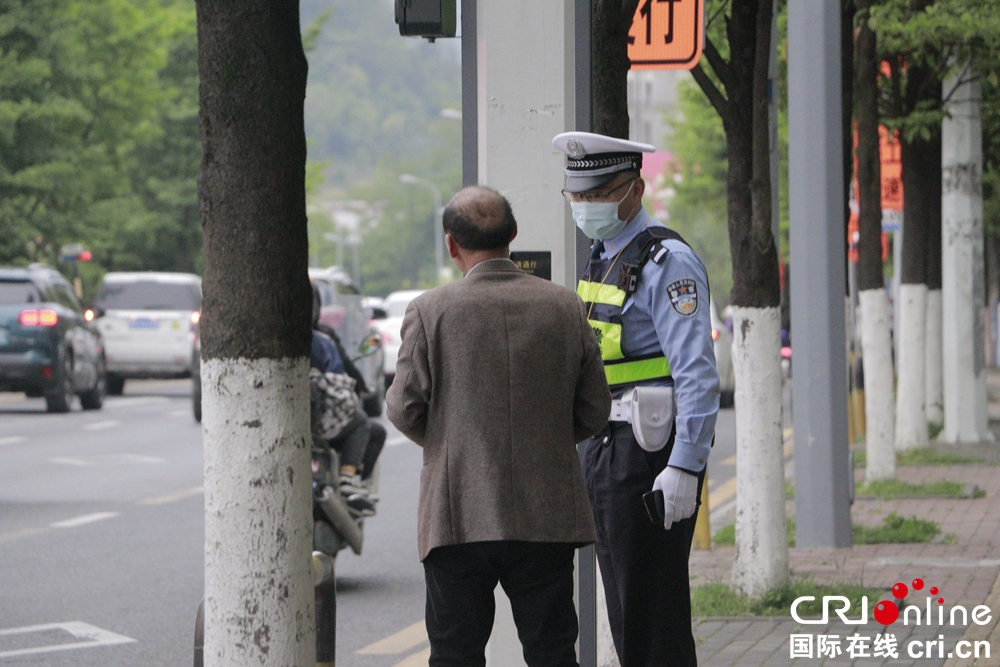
(255, 336)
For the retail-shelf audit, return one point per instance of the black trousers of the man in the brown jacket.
(538, 579)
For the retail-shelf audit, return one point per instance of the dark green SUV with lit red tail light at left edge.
(47, 345)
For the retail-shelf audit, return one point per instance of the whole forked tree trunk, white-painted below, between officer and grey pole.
(759, 566)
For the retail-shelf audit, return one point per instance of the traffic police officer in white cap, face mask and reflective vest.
(646, 294)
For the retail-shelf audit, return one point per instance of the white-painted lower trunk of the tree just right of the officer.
(760, 563)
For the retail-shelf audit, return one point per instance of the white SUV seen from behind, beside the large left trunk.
(148, 321)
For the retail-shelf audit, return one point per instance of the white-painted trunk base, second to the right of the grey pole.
(911, 413)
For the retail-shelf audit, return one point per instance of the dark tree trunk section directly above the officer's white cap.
(611, 20)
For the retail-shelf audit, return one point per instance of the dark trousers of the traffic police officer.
(644, 567)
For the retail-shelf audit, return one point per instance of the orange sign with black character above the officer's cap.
(667, 34)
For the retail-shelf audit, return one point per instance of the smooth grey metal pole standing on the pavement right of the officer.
(816, 237)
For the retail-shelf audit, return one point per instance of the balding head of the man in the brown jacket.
(479, 218)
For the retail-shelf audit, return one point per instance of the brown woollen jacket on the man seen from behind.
(499, 376)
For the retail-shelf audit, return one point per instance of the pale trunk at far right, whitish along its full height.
(963, 335)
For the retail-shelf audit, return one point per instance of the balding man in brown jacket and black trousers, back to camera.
(499, 376)
